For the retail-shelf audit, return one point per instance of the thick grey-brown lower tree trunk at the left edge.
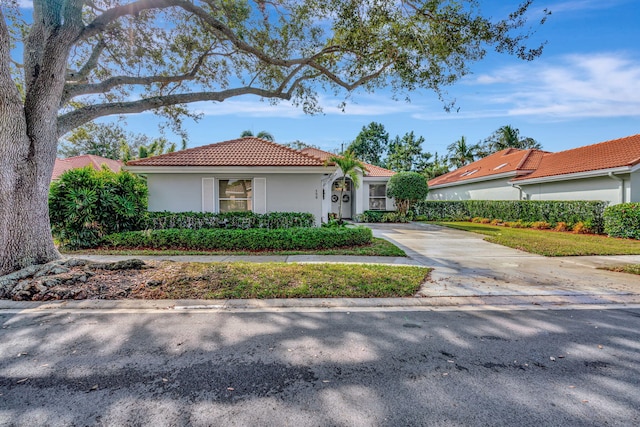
(26, 166)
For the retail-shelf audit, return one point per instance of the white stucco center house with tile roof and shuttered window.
(251, 174)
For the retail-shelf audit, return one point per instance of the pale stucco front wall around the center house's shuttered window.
(182, 192)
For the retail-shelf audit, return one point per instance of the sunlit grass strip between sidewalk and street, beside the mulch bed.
(281, 280)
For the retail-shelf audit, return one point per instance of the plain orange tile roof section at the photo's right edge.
(604, 155)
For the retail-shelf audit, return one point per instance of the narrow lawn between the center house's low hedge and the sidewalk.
(378, 247)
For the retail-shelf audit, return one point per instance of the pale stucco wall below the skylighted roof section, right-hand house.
(497, 189)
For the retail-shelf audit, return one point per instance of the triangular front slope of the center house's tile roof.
(248, 151)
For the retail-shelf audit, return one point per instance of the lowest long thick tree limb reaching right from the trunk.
(83, 115)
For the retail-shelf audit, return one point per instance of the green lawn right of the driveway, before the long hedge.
(550, 243)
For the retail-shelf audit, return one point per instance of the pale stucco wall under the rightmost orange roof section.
(598, 188)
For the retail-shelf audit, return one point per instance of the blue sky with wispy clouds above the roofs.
(584, 89)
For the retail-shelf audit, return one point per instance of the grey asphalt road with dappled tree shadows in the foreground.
(317, 368)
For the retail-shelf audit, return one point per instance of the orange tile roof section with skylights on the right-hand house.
(510, 160)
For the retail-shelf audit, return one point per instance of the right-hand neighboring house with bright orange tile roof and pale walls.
(608, 171)
